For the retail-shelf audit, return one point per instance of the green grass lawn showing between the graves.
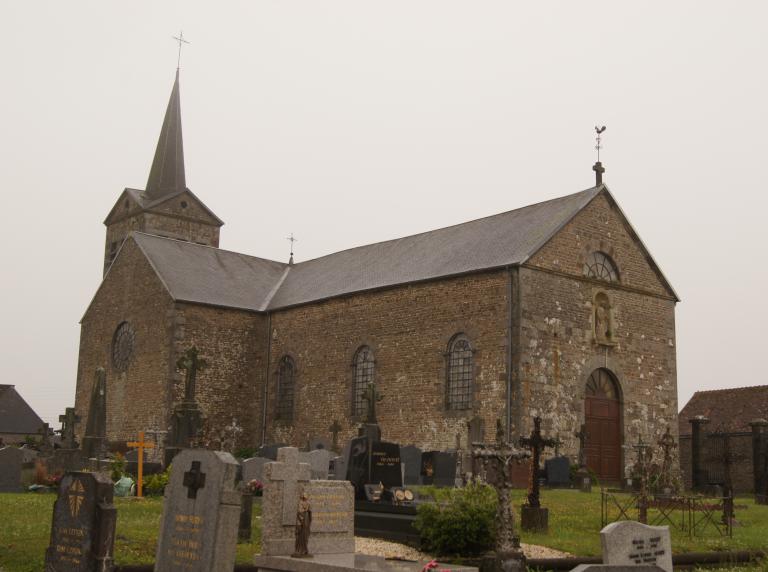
(25, 521)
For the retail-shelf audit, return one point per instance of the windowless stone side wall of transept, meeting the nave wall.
(234, 344)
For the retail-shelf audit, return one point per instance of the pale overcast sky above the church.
(354, 122)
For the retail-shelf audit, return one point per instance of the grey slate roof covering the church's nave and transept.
(212, 276)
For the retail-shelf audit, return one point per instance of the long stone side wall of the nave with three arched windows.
(408, 328)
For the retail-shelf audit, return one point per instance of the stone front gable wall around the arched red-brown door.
(560, 350)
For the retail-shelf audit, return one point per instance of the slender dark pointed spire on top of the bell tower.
(167, 172)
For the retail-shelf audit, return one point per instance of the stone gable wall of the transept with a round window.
(136, 398)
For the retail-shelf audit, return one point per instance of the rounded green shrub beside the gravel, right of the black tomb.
(461, 524)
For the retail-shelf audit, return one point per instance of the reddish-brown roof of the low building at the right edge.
(732, 408)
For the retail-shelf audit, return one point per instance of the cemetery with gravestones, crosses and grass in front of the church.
(289, 509)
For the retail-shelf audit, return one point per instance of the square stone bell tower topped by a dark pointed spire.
(166, 207)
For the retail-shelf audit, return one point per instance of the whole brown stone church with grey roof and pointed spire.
(555, 309)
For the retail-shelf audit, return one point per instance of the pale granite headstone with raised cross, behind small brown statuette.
(332, 503)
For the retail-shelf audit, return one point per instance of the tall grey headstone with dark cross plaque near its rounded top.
(201, 512)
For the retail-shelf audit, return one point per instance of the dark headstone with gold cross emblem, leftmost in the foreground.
(83, 529)
